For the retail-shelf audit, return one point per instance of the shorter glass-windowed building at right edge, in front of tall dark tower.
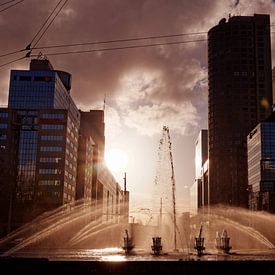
(261, 166)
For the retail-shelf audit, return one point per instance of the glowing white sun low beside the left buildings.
(116, 160)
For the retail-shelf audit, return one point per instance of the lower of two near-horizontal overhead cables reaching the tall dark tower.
(123, 48)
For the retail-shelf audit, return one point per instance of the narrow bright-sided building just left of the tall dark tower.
(200, 188)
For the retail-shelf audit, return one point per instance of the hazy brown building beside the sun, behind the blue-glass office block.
(94, 180)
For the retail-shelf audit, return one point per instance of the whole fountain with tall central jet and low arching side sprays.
(79, 230)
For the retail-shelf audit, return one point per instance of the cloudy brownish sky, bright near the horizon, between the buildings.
(145, 88)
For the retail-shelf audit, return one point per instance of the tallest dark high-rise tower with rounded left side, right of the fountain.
(240, 96)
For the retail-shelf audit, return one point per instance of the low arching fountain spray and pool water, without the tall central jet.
(72, 234)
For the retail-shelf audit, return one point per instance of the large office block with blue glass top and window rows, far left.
(39, 139)
